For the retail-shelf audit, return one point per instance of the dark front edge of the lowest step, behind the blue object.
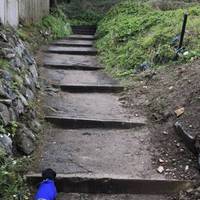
(112, 185)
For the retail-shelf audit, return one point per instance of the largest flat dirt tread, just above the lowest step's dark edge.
(102, 152)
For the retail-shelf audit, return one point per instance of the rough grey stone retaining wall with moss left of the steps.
(18, 89)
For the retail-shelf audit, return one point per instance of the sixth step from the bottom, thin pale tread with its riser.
(73, 43)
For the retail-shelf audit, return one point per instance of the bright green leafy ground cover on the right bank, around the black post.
(134, 33)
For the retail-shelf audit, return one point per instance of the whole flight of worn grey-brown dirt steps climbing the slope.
(90, 132)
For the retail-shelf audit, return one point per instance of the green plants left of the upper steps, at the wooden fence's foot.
(49, 28)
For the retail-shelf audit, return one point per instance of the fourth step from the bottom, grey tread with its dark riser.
(60, 61)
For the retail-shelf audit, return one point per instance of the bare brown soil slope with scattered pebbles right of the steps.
(160, 93)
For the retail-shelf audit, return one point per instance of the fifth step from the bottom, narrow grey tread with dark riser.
(72, 50)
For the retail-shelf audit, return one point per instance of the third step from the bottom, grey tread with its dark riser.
(81, 81)
